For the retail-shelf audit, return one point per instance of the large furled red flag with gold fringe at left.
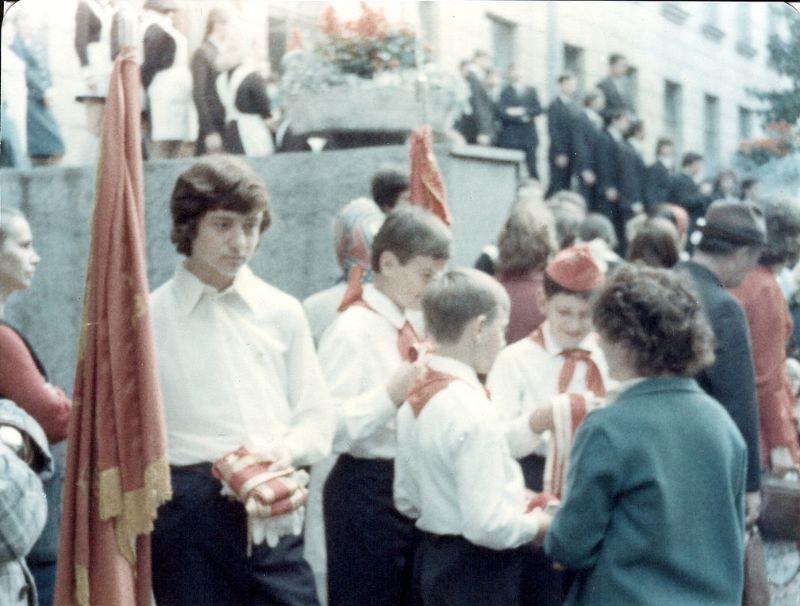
(117, 470)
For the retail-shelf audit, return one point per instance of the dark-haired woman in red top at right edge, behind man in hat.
(770, 329)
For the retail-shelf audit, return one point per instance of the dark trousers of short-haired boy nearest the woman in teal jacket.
(451, 571)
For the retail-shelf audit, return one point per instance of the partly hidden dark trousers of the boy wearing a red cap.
(541, 584)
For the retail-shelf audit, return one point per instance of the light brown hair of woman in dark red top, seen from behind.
(527, 239)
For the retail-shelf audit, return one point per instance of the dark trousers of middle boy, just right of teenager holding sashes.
(370, 545)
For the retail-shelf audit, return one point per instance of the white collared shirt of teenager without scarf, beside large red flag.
(238, 368)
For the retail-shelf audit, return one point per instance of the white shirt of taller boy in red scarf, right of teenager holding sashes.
(358, 355)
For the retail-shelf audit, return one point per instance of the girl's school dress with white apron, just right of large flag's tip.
(167, 80)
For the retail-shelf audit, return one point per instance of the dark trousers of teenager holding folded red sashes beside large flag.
(200, 552)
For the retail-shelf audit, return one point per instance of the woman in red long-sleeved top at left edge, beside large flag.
(22, 376)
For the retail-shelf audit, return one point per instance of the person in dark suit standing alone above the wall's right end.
(517, 109)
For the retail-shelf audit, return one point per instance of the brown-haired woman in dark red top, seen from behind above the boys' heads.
(525, 244)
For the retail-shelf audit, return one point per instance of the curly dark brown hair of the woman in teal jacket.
(655, 314)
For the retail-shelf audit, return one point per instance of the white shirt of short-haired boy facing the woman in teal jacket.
(454, 472)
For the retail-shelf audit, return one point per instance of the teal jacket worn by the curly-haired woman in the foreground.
(654, 508)
